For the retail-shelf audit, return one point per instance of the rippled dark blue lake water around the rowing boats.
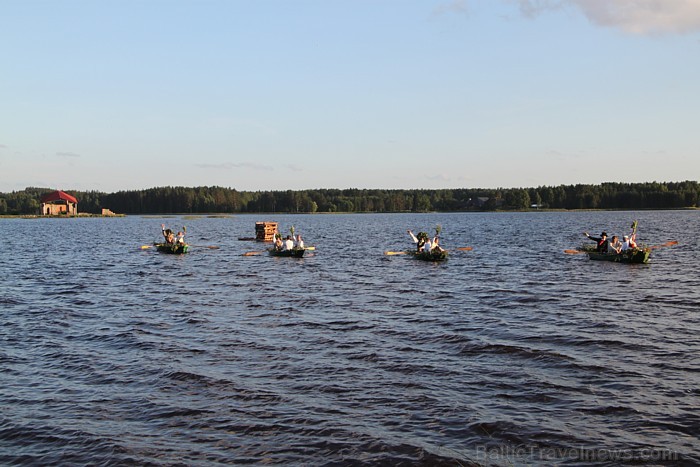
(513, 353)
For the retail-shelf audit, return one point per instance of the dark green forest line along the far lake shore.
(163, 200)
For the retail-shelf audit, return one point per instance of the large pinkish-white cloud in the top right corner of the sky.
(631, 16)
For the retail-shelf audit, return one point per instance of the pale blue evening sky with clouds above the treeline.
(117, 95)
